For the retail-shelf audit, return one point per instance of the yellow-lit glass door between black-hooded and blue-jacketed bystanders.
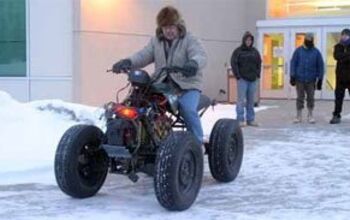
(273, 47)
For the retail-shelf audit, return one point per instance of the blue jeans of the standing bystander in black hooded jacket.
(245, 99)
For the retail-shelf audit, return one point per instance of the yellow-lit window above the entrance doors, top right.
(308, 8)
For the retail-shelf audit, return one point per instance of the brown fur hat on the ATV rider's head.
(168, 16)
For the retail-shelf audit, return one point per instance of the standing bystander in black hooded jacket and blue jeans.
(246, 66)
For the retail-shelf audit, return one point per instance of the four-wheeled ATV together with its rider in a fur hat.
(146, 131)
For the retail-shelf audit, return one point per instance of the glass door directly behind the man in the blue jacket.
(297, 40)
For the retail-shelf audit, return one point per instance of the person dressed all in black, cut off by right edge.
(342, 56)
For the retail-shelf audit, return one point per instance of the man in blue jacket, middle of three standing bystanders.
(306, 73)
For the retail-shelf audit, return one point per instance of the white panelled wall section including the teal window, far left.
(36, 45)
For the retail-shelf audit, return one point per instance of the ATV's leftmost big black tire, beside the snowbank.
(80, 165)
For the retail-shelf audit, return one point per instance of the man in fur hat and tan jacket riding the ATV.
(174, 46)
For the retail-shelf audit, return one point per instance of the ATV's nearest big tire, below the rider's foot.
(179, 171)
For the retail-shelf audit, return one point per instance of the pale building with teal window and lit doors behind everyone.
(62, 48)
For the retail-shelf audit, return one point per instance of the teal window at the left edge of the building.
(12, 38)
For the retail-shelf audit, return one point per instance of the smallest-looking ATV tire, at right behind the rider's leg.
(225, 151)
